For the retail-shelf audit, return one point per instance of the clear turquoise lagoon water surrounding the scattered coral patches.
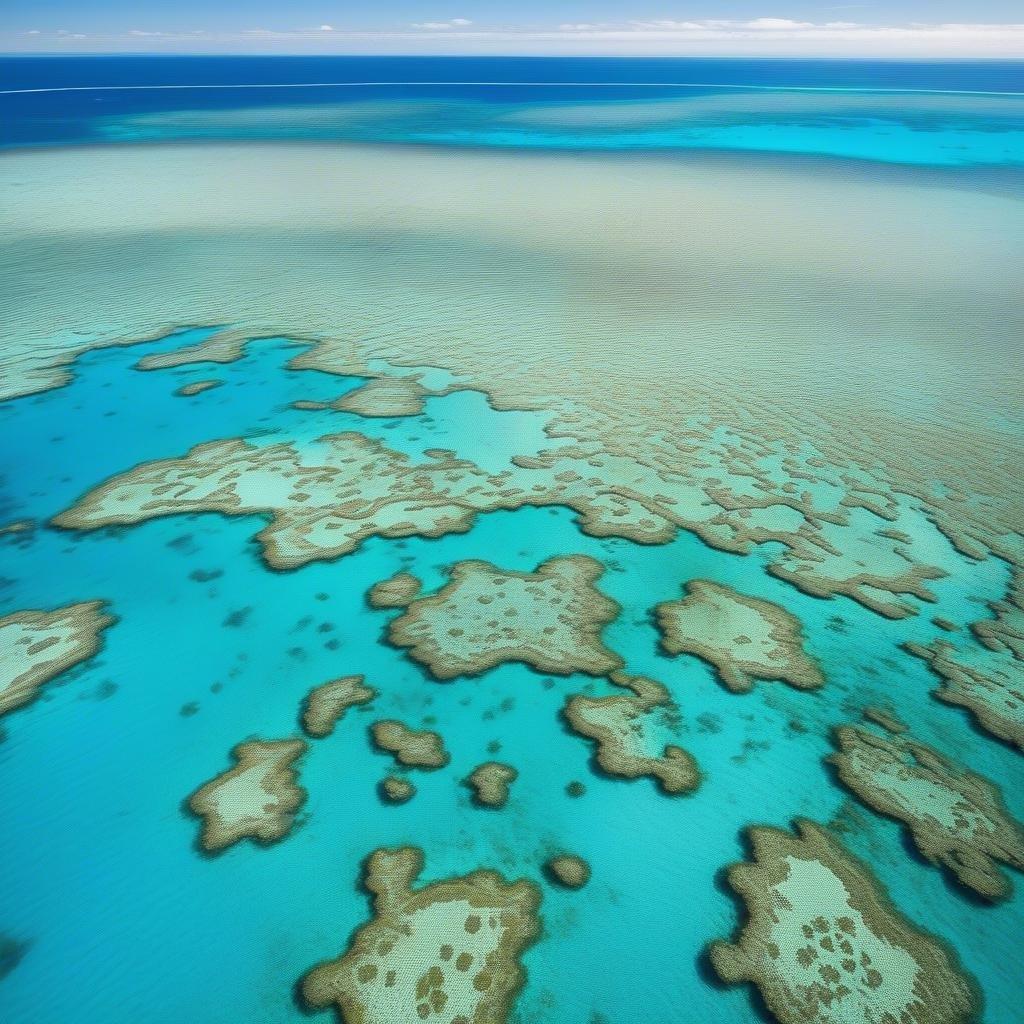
(103, 882)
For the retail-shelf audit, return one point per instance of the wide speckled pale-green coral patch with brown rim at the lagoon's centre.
(484, 617)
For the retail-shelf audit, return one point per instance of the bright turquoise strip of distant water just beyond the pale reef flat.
(940, 139)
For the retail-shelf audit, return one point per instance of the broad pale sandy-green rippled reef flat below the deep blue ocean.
(705, 430)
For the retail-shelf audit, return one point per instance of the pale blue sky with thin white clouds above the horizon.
(898, 28)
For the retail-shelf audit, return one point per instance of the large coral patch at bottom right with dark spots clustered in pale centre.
(824, 944)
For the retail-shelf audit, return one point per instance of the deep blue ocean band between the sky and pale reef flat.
(54, 101)
